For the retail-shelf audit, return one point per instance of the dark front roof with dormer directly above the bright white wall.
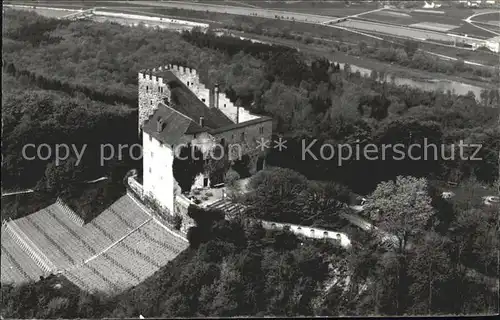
(175, 125)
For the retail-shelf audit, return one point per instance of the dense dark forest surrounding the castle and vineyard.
(76, 82)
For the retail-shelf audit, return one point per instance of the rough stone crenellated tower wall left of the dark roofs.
(152, 90)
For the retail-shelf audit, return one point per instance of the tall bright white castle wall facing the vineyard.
(158, 178)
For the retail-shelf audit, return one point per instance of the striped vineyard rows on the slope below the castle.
(118, 249)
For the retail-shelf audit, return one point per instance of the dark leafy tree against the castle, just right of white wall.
(188, 163)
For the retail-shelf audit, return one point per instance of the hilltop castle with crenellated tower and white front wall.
(175, 108)
